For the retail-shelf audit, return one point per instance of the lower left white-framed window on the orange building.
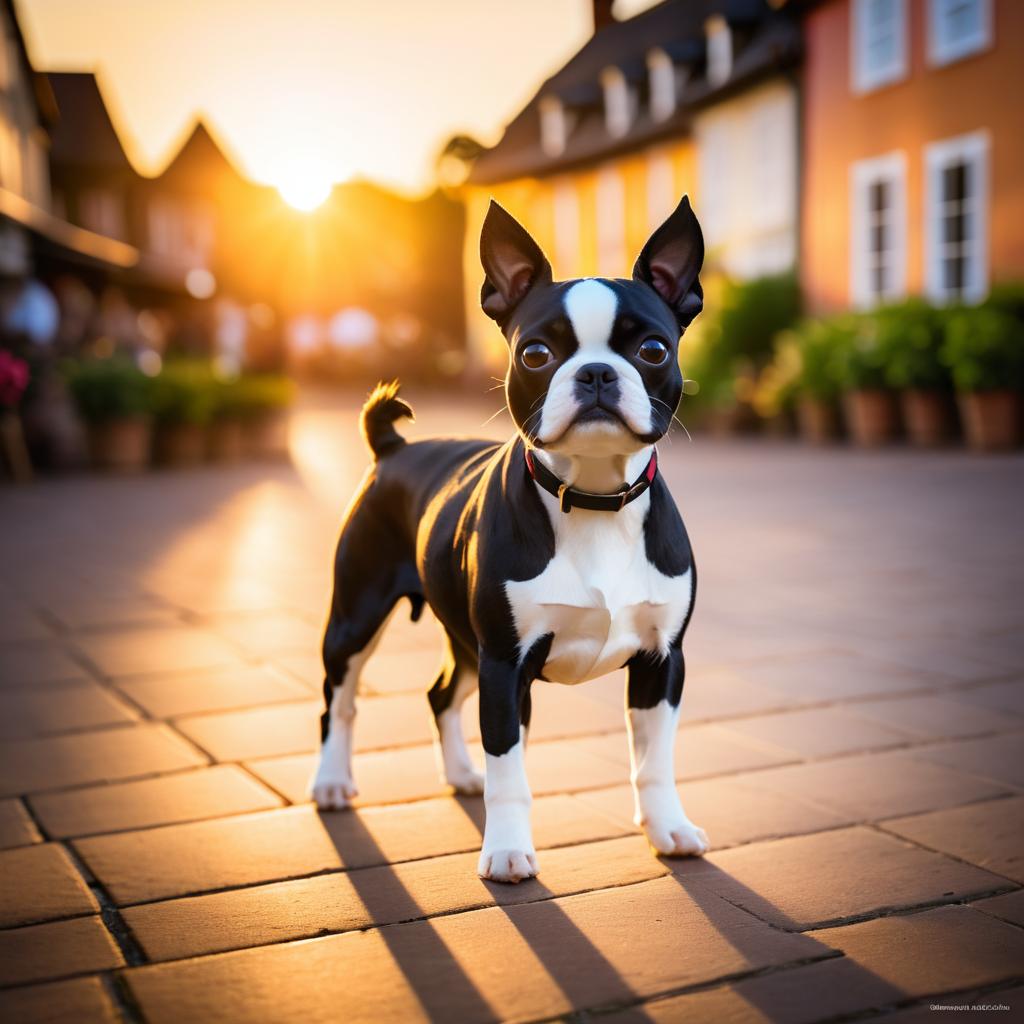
(878, 230)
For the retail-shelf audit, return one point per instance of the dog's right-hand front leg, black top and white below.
(656, 689)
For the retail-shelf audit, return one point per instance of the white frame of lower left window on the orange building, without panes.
(891, 169)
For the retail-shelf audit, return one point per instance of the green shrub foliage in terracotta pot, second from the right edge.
(910, 337)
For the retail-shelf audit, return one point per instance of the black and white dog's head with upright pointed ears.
(593, 365)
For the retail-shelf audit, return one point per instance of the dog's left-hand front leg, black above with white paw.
(508, 844)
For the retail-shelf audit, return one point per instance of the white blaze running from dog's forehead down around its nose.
(591, 308)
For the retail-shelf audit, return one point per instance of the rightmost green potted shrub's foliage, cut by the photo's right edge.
(985, 349)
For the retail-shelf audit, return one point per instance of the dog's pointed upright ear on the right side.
(671, 264)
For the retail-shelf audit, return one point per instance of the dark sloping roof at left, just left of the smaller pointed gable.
(84, 135)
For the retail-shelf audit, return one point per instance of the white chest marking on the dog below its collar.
(600, 596)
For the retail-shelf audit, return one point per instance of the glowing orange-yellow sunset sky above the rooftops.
(311, 91)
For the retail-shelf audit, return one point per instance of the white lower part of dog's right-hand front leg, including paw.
(659, 812)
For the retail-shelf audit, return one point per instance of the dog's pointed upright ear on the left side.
(513, 263)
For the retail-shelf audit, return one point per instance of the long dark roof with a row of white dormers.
(765, 39)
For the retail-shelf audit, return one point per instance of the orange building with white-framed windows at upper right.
(913, 151)
